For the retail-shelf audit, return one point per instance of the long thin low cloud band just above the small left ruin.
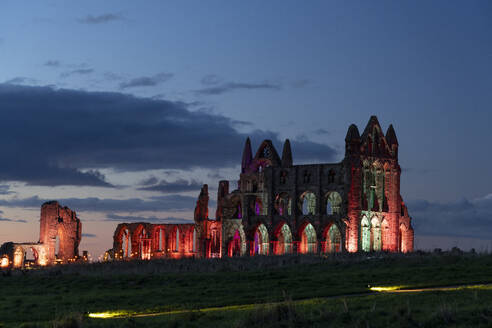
(109, 205)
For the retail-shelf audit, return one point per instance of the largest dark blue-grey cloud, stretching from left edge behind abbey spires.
(64, 132)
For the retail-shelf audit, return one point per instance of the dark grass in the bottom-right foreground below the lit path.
(464, 308)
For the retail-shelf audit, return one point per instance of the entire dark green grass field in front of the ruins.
(298, 291)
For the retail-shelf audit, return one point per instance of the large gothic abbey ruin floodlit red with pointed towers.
(281, 208)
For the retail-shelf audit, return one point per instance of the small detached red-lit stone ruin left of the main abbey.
(59, 239)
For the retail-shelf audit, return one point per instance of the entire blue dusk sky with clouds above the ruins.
(121, 110)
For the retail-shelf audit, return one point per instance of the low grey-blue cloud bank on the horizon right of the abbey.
(462, 218)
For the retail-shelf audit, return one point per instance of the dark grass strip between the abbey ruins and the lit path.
(148, 286)
